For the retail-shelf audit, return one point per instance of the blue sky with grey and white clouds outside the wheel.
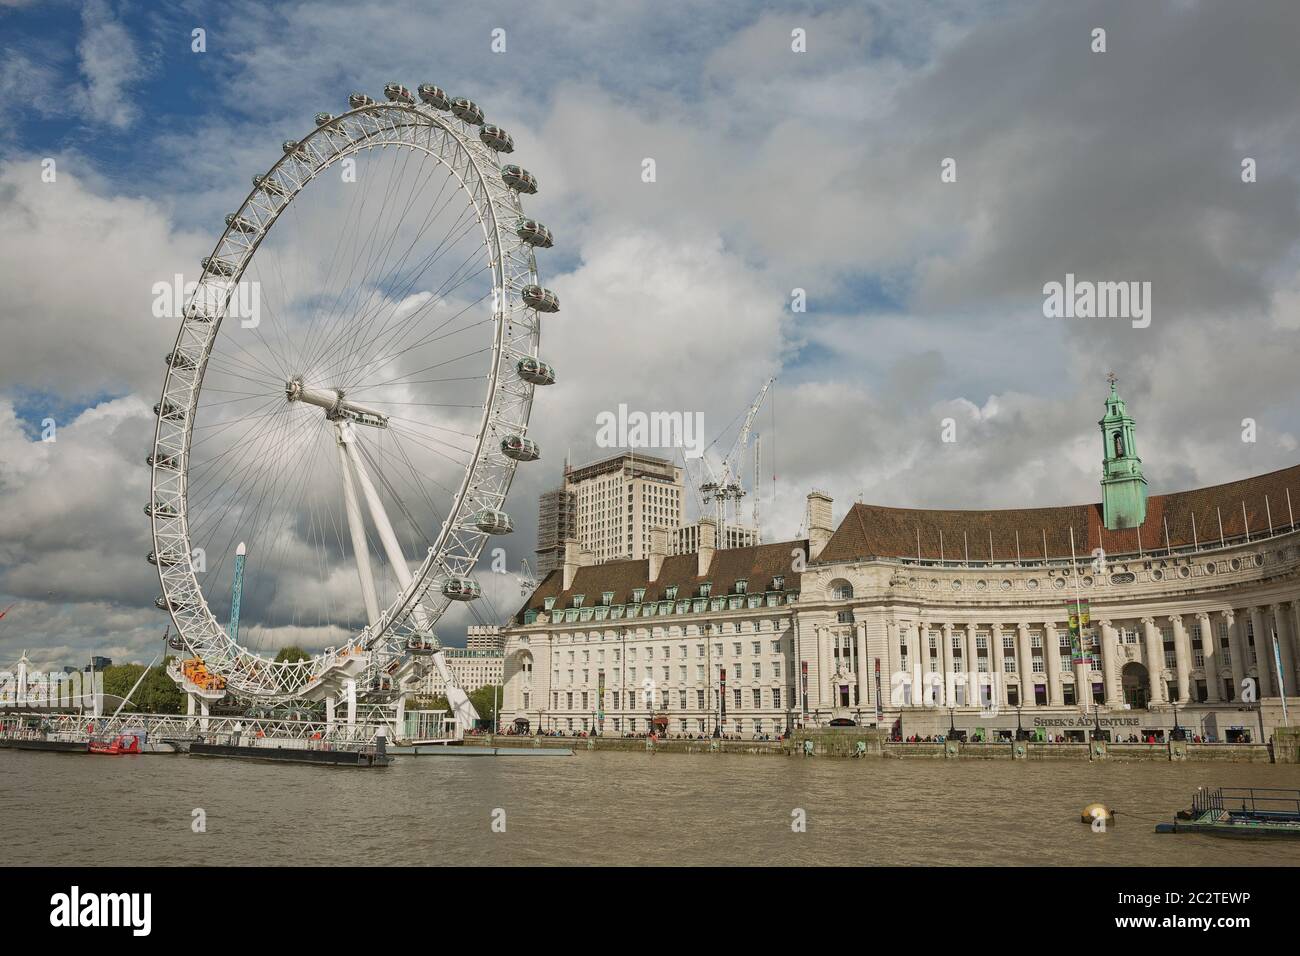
(920, 171)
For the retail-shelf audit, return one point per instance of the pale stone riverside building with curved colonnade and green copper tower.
(922, 620)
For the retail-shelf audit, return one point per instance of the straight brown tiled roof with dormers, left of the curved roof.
(759, 565)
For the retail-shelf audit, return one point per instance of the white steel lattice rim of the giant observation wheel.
(493, 201)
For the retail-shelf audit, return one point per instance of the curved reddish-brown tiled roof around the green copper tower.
(1249, 505)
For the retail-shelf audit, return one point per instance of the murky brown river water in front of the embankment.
(609, 808)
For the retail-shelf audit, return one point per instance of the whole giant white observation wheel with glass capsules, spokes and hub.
(349, 396)
